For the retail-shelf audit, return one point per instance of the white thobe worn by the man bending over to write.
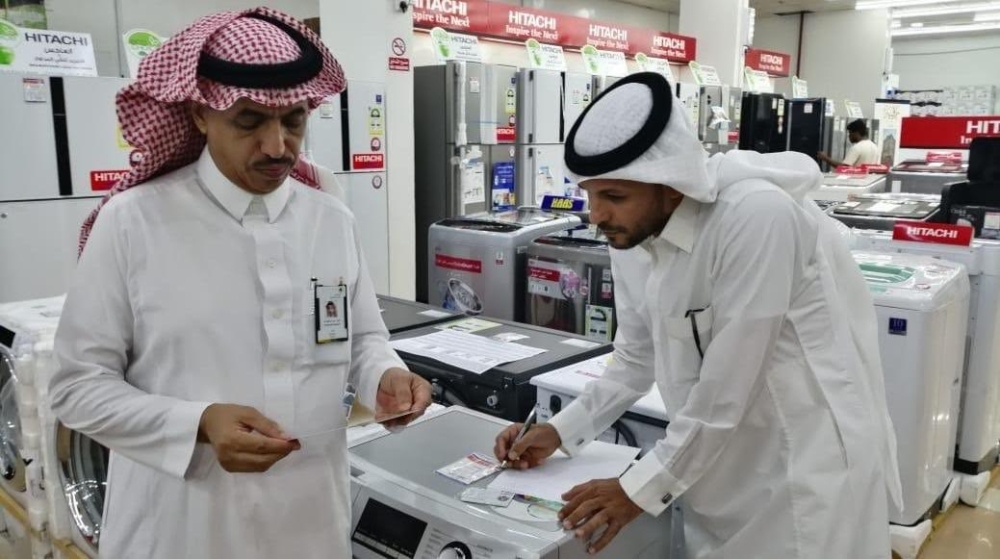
(779, 439)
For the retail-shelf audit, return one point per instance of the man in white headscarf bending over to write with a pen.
(737, 299)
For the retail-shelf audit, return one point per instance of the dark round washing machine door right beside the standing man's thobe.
(83, 470)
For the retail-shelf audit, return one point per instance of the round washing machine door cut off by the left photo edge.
(12, 467)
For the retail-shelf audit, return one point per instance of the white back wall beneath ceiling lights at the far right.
(937, 62)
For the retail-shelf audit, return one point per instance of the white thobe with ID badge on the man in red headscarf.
(191, 291)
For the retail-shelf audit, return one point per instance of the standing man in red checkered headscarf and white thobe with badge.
(191, 343)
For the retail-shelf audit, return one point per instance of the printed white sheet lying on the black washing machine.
(468, 352)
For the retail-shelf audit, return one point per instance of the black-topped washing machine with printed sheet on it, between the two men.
(505, 390)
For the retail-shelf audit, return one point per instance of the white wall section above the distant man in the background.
(843, 54)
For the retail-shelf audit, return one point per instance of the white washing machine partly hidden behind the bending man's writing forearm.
(641, 426)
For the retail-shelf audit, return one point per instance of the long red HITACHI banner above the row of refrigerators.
(516, 23)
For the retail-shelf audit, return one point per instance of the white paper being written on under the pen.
(560, 473)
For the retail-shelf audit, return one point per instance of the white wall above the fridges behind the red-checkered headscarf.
(106, 20)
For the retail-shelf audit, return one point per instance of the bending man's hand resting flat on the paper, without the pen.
(597, 504)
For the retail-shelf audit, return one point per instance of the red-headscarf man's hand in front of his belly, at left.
(243, 439)
